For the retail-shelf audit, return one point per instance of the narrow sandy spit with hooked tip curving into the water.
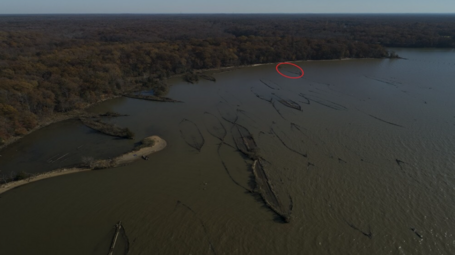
(158, 145)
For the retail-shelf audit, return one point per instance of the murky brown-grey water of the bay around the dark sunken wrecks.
(377, 177)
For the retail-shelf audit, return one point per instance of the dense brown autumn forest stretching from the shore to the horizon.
(59, 63)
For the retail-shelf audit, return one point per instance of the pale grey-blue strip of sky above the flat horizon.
(226, 6)
